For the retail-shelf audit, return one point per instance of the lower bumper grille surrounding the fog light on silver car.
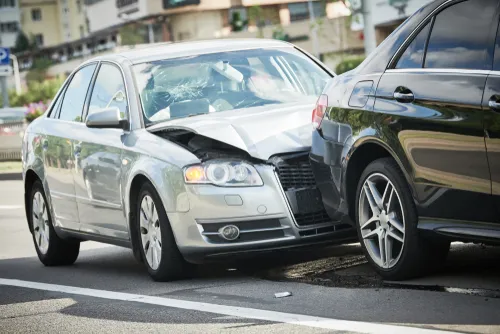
(254, 230)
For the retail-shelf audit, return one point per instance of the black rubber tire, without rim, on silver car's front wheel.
(172, 265)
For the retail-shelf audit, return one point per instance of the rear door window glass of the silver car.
(74, 97)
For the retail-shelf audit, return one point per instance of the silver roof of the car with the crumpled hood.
(185, 49)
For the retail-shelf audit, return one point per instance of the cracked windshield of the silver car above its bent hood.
(184, 87)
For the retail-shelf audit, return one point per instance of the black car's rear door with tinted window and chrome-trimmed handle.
(435, 94)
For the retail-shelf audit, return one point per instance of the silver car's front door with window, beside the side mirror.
(97, 181)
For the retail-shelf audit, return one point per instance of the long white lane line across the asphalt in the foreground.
(235, 311)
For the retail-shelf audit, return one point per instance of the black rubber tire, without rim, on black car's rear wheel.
(419, 255)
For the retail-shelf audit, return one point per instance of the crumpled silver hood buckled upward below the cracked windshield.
(260, 131)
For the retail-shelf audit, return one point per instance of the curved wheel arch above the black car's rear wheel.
(361, 154)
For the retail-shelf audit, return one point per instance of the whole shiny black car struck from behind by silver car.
(407, 146)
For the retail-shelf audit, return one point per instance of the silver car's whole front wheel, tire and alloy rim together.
(170, 265)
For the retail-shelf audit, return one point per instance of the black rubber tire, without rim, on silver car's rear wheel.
(60, 252)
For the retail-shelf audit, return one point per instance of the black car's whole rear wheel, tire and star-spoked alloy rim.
(385, 226)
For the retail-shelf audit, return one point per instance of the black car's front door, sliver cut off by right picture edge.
(491, 106)
